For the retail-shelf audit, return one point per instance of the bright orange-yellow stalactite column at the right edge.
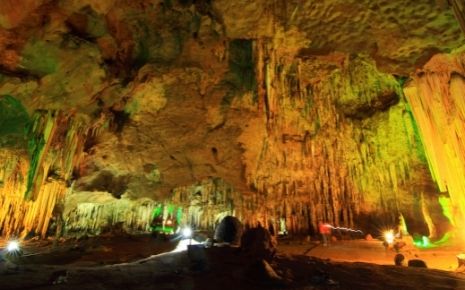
(437, 101)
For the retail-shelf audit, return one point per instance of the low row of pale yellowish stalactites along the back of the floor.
(203, 206)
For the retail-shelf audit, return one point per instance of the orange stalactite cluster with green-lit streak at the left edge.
(33, 185)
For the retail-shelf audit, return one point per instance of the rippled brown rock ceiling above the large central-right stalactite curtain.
(399, 35)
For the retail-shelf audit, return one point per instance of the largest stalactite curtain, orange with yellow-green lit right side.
(316, 163)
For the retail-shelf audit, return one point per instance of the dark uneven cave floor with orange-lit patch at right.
(141, 262)
